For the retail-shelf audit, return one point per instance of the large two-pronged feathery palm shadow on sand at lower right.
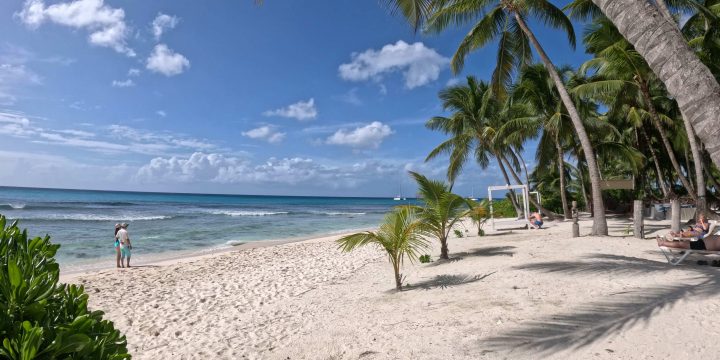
(592, 322)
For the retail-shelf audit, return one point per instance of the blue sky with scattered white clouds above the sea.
(291, 97)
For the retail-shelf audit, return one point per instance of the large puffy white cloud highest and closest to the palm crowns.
(419, 64)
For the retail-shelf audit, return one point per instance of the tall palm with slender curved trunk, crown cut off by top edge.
(505, 21)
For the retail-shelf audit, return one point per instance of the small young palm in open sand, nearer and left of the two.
(398, 235)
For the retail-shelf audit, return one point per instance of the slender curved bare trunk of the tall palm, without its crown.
(599, 220)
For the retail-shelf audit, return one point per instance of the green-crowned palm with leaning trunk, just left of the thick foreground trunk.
(622, 74)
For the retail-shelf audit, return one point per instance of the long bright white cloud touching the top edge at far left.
(106, 25)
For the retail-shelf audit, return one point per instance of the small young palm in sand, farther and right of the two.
(441, 210)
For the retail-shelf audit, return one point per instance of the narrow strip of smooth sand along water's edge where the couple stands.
(102, 265)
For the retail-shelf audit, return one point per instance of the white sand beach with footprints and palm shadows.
(525, 295)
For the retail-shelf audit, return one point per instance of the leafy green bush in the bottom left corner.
(41, 319)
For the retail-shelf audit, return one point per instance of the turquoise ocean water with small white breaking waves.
(83, 221)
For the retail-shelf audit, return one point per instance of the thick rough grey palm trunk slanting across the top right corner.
(686, 78)
